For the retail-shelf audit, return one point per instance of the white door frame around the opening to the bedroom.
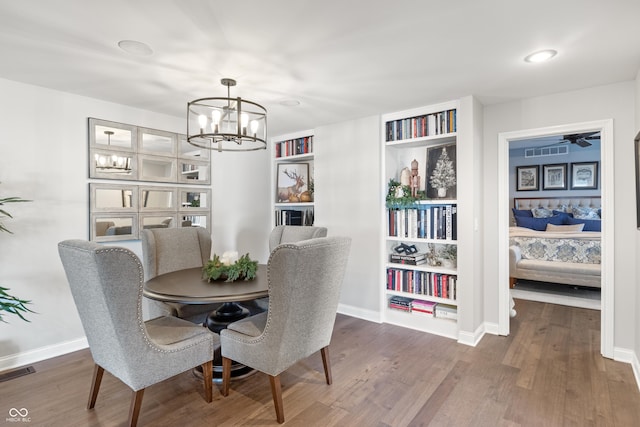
(605, 127)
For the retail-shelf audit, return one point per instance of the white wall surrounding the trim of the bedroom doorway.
(604, 102)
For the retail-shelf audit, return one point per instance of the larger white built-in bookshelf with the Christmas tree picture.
(421, 288)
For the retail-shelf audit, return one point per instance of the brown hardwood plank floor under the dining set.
(548, 372)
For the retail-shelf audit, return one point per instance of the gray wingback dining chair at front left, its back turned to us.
(106, 284)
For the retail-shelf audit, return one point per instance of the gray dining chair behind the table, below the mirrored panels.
(165, 250)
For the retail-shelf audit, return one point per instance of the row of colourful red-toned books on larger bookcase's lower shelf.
(429, 283)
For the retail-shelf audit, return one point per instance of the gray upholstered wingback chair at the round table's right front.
(305, 280)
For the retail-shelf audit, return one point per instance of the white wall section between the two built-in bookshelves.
(348, 202)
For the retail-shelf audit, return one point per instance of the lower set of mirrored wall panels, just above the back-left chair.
(119, 211)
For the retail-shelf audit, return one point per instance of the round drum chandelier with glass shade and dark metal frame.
(227, 124)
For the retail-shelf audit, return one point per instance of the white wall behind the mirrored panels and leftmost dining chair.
(43, 157)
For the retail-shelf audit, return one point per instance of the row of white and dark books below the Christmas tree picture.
(426, 222)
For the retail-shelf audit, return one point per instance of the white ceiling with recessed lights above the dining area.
(341, 59)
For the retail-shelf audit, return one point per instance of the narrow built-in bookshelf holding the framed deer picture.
(293, 183)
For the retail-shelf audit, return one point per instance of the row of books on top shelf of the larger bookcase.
(417, 127)
